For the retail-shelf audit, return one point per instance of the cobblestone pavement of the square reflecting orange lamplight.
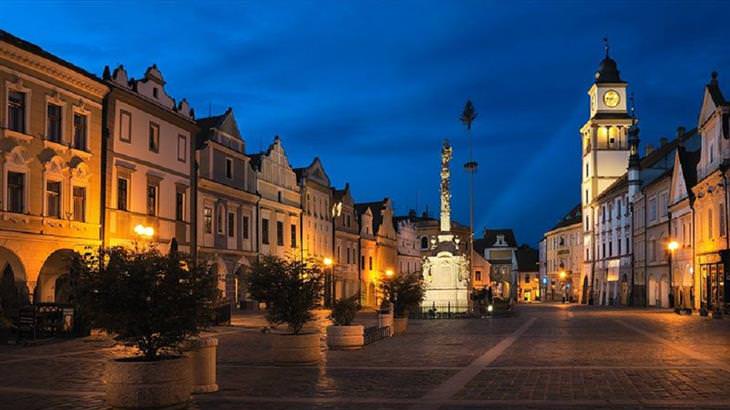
(545, 357)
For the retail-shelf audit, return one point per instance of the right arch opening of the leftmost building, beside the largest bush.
(53, 285)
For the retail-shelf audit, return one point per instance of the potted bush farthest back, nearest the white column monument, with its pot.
(405, 292)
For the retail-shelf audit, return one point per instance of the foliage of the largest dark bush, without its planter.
(147, 299)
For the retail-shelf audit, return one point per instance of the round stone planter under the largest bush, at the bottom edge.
(135, 384)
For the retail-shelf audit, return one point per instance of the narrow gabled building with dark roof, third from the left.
(226, 203)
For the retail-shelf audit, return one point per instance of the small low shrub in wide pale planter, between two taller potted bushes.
(343, 334)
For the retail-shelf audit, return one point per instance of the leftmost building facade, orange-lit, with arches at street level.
(50, 166)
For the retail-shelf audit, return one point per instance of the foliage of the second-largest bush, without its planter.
(289, 288)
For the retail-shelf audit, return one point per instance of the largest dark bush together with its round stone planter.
(150, 301)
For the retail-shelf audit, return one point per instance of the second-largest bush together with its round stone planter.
(290, 289)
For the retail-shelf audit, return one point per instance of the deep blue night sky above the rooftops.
(373, 88)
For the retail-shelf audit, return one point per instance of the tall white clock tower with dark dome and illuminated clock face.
(605, 143)
